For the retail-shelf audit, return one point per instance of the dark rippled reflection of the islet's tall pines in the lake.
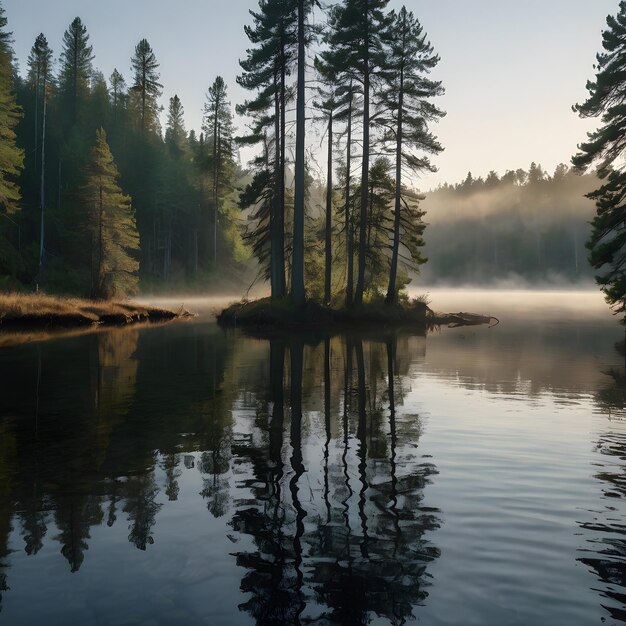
(346, 541)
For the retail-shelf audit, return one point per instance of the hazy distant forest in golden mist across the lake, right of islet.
(523, 227)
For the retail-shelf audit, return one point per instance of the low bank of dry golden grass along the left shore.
(43, 311)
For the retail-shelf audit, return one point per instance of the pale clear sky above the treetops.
(511, 70)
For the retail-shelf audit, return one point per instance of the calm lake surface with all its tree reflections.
(182, 475)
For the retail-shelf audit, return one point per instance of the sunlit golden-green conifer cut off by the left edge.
(11, 157)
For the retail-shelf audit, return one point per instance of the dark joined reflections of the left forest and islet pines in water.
(321, 475)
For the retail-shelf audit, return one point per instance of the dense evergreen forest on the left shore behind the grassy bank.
(95, 195)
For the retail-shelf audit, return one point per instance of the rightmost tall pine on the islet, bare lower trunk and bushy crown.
(406, 96)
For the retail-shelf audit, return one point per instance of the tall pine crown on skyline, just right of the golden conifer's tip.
(146, 87)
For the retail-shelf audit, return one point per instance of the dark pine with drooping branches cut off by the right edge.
(606, 147)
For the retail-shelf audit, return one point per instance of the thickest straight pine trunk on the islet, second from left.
(297, 262)
